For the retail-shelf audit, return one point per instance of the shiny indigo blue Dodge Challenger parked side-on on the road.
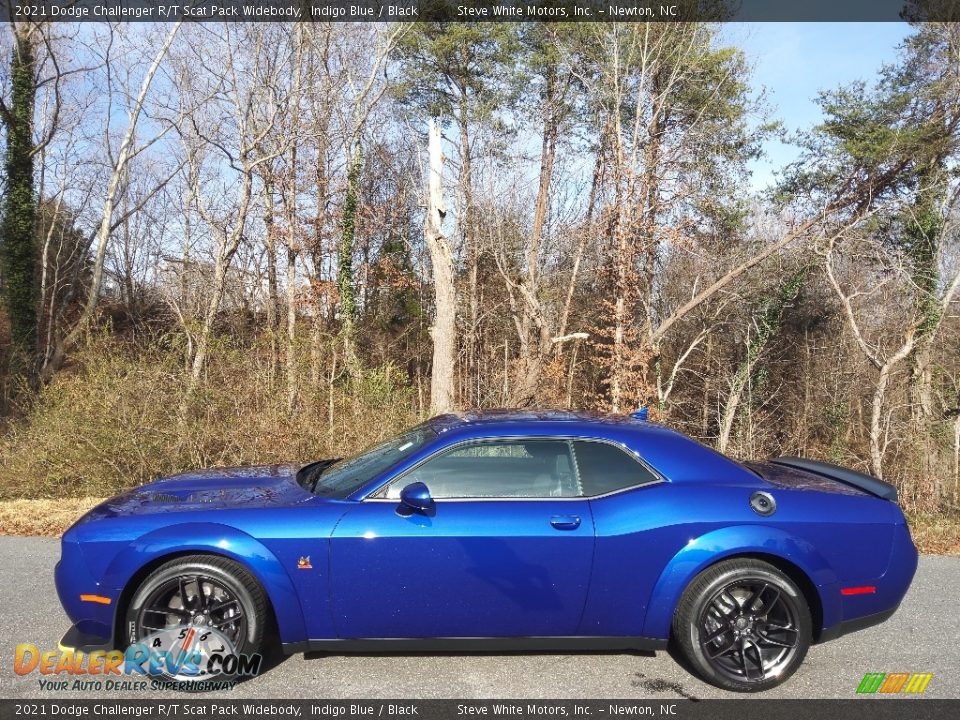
(497, 530)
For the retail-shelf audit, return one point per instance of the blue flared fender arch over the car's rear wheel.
(717, 545)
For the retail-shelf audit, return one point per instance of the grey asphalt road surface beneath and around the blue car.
(924, 636)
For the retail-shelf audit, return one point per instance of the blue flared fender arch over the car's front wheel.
(214, 539)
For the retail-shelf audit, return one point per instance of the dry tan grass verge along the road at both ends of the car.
(933, 535)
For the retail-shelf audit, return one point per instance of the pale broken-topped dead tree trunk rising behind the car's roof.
(444, 327)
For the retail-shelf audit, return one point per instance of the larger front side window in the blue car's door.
(509, 469)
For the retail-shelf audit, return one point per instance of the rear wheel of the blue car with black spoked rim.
(743, 625)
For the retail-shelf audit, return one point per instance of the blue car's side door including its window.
(506, 551)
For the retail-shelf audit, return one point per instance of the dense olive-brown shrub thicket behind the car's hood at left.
(118, 418)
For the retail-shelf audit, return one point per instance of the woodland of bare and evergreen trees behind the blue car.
(250, 243)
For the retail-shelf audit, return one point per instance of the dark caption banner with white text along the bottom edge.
(745, 709)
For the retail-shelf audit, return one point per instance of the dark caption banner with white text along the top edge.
(481, 10)
